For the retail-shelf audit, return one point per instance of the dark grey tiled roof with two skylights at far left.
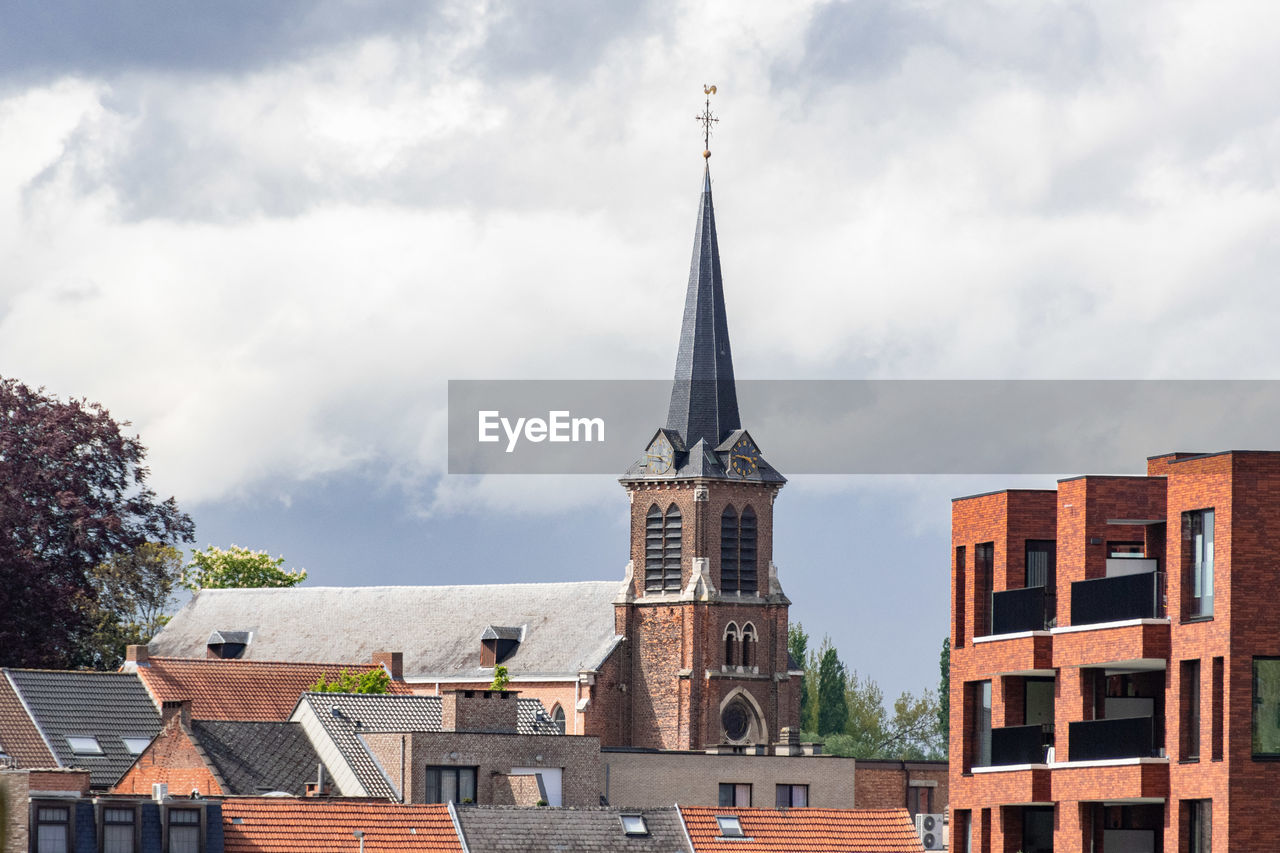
(106, 706)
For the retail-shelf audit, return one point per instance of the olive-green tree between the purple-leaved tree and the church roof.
(132, 591)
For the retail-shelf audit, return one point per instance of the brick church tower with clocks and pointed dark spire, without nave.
(702, 612)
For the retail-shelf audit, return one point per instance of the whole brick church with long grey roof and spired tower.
(691, 653)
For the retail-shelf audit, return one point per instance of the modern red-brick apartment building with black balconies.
(1116, 665)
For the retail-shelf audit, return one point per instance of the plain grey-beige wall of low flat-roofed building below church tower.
(648, 779)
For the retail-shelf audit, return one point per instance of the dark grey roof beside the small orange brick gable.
(258, 758)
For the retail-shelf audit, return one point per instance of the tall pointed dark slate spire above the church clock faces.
(703, 398)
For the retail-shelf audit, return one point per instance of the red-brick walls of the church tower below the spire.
(684, 653)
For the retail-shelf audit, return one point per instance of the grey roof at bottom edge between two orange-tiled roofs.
(508, 829)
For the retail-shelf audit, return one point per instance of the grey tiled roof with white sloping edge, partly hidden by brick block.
(359, 714)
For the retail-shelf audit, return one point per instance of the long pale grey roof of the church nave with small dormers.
(569, 627)
